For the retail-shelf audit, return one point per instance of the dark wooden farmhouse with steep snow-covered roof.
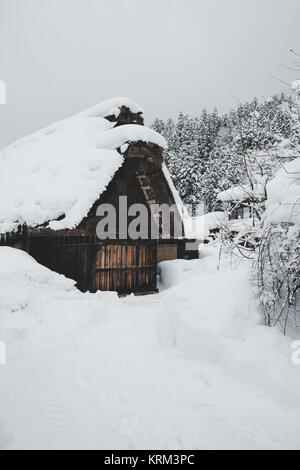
(53, 183)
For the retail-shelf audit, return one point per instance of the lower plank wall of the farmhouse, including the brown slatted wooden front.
(108, 266)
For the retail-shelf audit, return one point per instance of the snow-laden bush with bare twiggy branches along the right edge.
(278, 262)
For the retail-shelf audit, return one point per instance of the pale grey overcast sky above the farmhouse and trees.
(58, 57)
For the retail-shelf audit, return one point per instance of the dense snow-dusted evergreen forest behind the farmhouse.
(210, 153)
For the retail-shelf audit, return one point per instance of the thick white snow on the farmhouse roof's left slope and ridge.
(60, 171)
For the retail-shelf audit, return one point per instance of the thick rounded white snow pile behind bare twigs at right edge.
(284, 195)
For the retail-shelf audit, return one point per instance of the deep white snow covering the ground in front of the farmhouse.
(192, 367)
